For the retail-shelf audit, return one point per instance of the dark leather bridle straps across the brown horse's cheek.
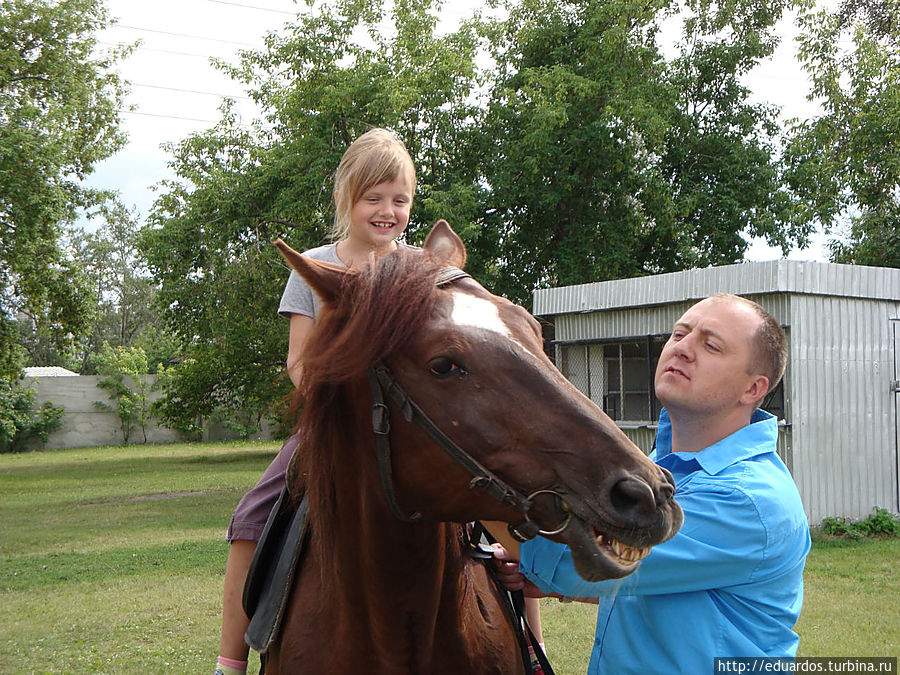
(381, 377)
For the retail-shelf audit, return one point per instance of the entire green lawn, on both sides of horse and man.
(111, 561)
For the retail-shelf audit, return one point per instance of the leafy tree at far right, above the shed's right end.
(845, 163)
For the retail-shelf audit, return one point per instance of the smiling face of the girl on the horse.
(381, 214)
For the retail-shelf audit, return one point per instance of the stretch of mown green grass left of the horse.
(112, 559)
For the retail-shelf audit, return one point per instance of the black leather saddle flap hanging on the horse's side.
(272, 570)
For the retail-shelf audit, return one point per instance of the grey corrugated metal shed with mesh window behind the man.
(838, 404)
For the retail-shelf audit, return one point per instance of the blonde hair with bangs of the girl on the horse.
(375, 157)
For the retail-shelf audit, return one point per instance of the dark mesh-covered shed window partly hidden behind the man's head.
(618, 377)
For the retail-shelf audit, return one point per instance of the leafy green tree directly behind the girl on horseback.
(208, 239)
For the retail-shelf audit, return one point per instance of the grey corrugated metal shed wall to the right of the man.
(844, 451)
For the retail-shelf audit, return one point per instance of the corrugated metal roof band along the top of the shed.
(747, 278)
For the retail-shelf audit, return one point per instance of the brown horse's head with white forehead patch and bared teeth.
(474, 364)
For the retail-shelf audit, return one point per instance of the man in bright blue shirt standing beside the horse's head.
(730, 583)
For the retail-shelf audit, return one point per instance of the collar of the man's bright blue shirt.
(758, 437)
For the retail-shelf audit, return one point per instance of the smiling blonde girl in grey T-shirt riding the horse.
(373, 194)
